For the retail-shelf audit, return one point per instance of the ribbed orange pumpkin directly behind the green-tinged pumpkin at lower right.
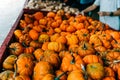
(92, 59)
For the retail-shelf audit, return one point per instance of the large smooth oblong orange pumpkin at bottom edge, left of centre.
(41, 69)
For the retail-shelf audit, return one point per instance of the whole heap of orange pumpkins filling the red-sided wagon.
(61, 46)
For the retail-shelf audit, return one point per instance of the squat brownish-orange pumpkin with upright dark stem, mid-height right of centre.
(85, 49)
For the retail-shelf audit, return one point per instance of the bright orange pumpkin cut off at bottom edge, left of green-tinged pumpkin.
(76, 75)
